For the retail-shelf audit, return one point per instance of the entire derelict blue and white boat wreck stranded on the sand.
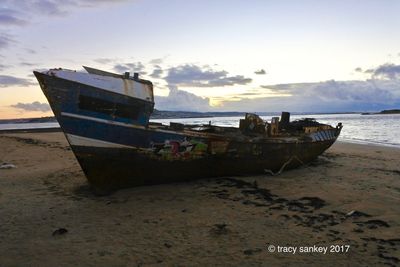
(105, 118)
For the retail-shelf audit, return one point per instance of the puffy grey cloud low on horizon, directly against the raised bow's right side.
(179, 100)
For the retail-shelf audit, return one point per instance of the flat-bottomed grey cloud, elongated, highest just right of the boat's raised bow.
(190, 75)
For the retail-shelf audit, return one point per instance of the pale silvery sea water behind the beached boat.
(357, 128)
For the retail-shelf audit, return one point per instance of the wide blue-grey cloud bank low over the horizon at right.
(328, 96)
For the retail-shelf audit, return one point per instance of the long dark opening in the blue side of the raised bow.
(110, 108)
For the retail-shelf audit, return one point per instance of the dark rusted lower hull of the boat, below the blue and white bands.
(108, 169)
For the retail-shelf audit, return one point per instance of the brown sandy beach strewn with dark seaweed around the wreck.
(346, 201)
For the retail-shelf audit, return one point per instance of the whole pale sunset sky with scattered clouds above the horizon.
(225, 55)
